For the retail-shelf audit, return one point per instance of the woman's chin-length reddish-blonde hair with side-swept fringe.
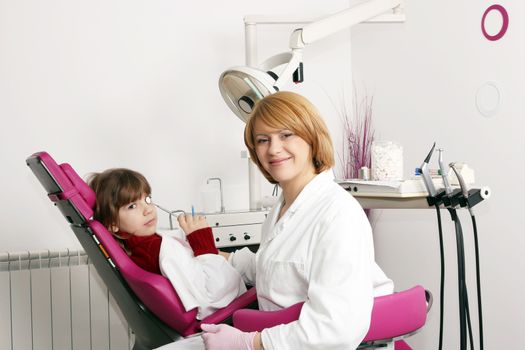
(291, 111)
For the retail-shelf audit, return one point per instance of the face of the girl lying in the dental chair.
(138, 218)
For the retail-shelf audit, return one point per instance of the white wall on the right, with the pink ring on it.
(424, 75)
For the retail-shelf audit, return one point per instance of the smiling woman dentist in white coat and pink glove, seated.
(316, 244)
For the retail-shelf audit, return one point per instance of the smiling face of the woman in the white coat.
(284, 155)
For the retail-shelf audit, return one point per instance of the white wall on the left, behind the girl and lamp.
(133, 84)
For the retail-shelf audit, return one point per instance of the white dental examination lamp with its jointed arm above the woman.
(242, 87)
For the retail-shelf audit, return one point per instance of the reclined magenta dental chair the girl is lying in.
(148, 301)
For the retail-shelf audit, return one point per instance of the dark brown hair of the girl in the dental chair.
(115, 188)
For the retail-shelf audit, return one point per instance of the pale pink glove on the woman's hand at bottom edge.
(224, 337)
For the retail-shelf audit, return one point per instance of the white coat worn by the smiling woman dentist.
(321, 252)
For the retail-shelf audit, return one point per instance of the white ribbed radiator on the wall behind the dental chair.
(56, 300)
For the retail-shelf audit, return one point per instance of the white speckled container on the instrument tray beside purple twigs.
(387, 161)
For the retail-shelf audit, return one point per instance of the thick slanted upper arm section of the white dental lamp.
(339, 21)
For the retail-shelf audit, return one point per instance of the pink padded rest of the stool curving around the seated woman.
(393, 315)
